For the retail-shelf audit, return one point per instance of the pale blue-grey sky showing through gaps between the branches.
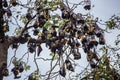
(103, 9)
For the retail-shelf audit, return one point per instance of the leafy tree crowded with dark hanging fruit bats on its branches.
(63, 34)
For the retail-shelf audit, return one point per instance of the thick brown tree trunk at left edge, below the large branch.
(3, 55)
